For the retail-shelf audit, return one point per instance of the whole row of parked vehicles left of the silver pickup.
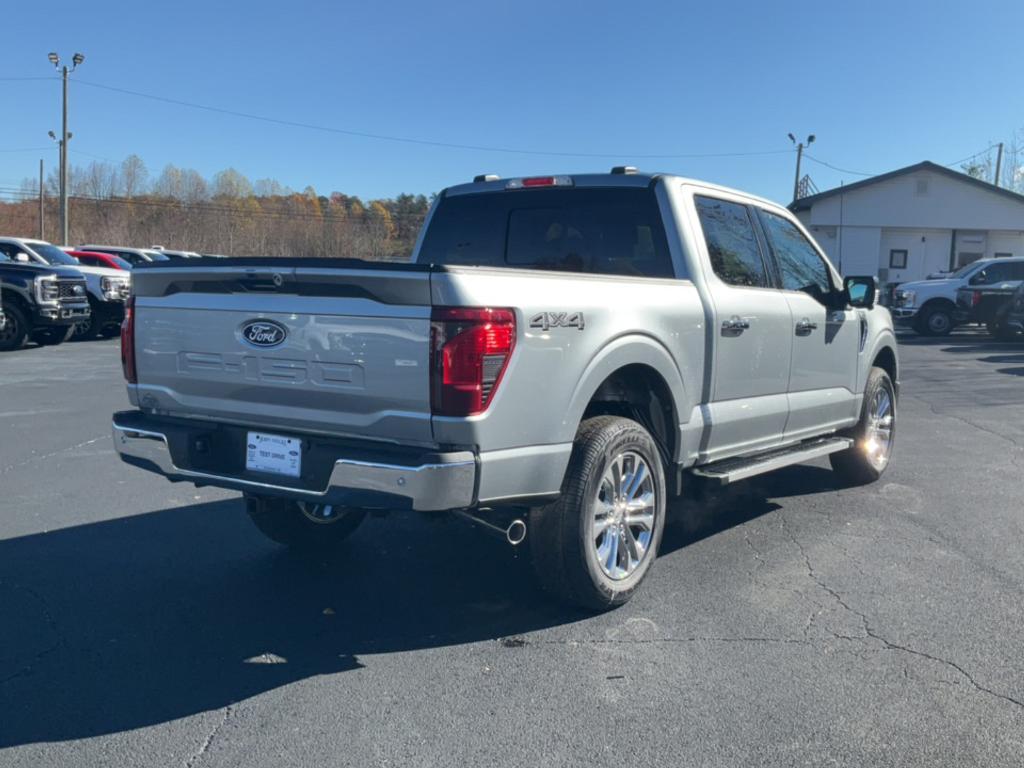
(51, 294)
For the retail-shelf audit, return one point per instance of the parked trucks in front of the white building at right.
(990, 292)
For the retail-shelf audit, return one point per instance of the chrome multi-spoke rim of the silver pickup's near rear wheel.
(623, 520)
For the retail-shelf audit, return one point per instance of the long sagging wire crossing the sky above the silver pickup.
(422, 142)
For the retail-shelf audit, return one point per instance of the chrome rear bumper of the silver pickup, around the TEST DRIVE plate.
(446, 484)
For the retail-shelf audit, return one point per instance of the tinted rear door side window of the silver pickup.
(733, 246)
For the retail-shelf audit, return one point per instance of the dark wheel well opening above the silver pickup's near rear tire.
(641, 394)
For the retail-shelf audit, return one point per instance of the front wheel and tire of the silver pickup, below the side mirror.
(874, 437)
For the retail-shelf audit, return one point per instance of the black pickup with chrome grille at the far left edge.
(41, 303)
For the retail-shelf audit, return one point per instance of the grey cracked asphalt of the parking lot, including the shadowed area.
(787, 622)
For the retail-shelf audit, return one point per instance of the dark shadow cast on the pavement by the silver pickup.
(140, 621)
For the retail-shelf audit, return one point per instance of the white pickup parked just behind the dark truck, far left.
(108, 289)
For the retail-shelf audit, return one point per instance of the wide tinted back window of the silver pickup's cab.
(613, 231)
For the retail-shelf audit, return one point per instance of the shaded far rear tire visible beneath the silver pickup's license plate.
(304, 527)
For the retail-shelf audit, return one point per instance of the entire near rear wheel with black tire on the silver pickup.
(595, 545)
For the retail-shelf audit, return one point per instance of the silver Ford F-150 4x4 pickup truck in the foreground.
(563, 356)
